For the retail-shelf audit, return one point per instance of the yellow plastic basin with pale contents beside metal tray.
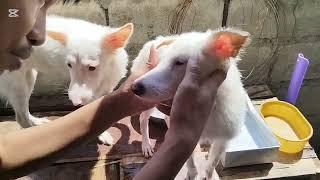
(288, 124)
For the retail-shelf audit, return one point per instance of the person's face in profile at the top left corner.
(22, 25)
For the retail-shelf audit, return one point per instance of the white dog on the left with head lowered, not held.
(94, 54)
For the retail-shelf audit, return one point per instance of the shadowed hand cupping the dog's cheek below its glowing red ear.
(194, 100)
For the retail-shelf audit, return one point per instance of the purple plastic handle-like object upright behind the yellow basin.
(297, 79)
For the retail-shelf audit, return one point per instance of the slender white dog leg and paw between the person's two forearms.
(147, 148)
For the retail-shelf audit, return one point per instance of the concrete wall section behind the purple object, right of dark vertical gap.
(281, 29)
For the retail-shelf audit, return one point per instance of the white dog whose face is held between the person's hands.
(221, 49)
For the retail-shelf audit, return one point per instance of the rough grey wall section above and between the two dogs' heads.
(153, 18)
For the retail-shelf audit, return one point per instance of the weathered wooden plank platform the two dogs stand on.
(124, 159)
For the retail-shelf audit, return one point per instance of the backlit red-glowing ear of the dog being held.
(226, 44)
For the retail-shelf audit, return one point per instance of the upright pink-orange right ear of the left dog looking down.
(119, 38)
